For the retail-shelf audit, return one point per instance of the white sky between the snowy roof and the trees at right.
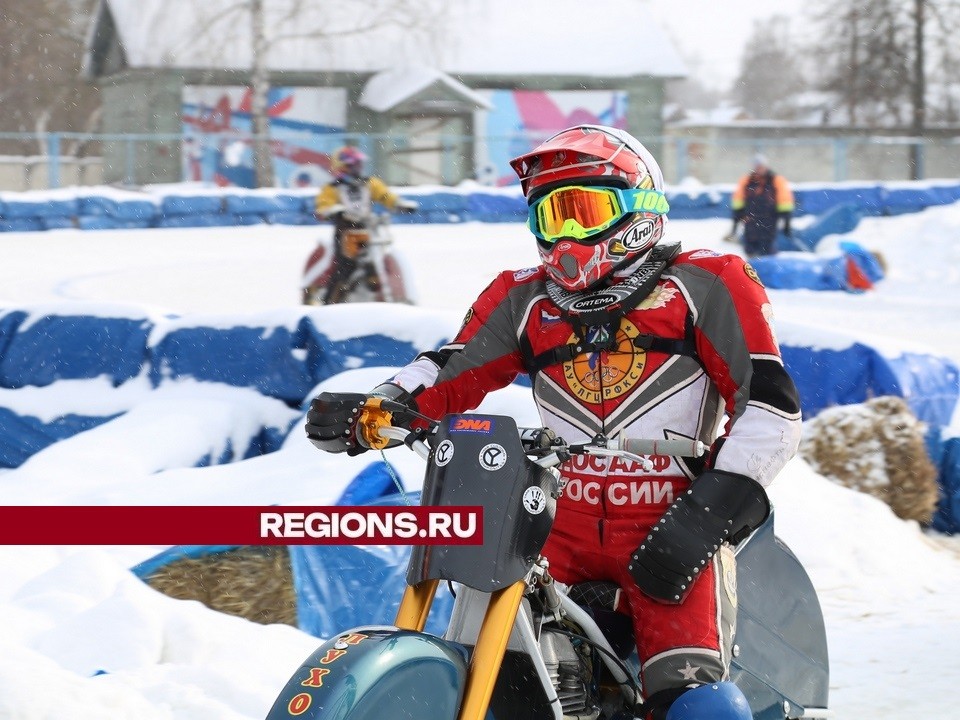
(711, 36)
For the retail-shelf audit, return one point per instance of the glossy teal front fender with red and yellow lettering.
(370, 672)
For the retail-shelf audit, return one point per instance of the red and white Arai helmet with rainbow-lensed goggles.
(596, 203)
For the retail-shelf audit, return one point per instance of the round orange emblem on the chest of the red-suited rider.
(599, 376)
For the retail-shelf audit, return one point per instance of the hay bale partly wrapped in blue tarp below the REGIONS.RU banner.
(253, 582)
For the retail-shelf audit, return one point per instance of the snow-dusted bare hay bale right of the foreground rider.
(878, 448)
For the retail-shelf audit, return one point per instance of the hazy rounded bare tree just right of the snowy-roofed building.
(770, 77)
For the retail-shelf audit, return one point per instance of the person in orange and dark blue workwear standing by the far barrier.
(762, 197)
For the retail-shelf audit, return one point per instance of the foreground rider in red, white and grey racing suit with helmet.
(624, 334)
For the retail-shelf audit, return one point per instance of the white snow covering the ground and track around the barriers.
(82, 638)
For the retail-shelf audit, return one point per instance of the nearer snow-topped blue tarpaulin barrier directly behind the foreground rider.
(284, 356)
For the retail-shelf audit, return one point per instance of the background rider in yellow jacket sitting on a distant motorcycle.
(348, 202)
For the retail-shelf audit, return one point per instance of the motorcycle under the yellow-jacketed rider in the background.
(379, 275)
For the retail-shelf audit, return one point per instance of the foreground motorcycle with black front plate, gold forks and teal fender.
(518, 645)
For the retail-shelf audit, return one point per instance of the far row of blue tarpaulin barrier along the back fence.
(156, 206)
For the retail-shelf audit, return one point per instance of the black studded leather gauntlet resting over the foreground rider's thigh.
(719, 507)
